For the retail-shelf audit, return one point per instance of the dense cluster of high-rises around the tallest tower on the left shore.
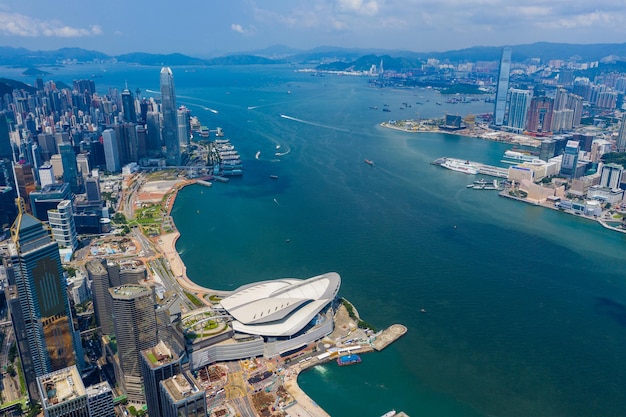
(55, 142)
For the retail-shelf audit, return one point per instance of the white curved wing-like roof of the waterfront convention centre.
(280, 307)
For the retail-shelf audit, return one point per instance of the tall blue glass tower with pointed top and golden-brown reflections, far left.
(41, 316)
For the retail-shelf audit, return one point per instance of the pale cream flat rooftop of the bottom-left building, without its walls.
(61, 386)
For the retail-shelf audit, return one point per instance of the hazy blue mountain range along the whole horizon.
(357, 57)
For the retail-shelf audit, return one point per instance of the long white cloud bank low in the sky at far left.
(15, 24)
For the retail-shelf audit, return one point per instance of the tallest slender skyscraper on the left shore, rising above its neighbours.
(169, 111)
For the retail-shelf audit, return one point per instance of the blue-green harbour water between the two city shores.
(526, 307)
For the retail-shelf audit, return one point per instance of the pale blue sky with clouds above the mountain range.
(205, 28)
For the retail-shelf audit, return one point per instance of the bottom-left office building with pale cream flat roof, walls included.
(63, 394)
